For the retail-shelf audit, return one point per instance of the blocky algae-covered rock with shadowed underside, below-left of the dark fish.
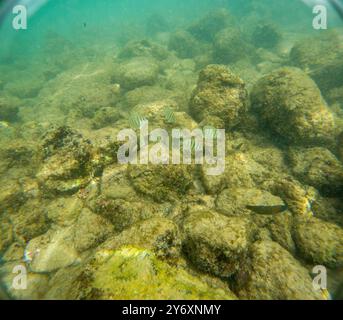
(217, 244)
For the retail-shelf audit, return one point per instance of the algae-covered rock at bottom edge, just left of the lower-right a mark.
(273, 274)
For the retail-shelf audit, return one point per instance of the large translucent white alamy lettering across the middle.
(200, 146)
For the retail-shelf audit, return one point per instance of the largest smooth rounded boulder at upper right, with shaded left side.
(290, 103)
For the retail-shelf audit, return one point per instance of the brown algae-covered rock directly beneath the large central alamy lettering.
(161, 182)
